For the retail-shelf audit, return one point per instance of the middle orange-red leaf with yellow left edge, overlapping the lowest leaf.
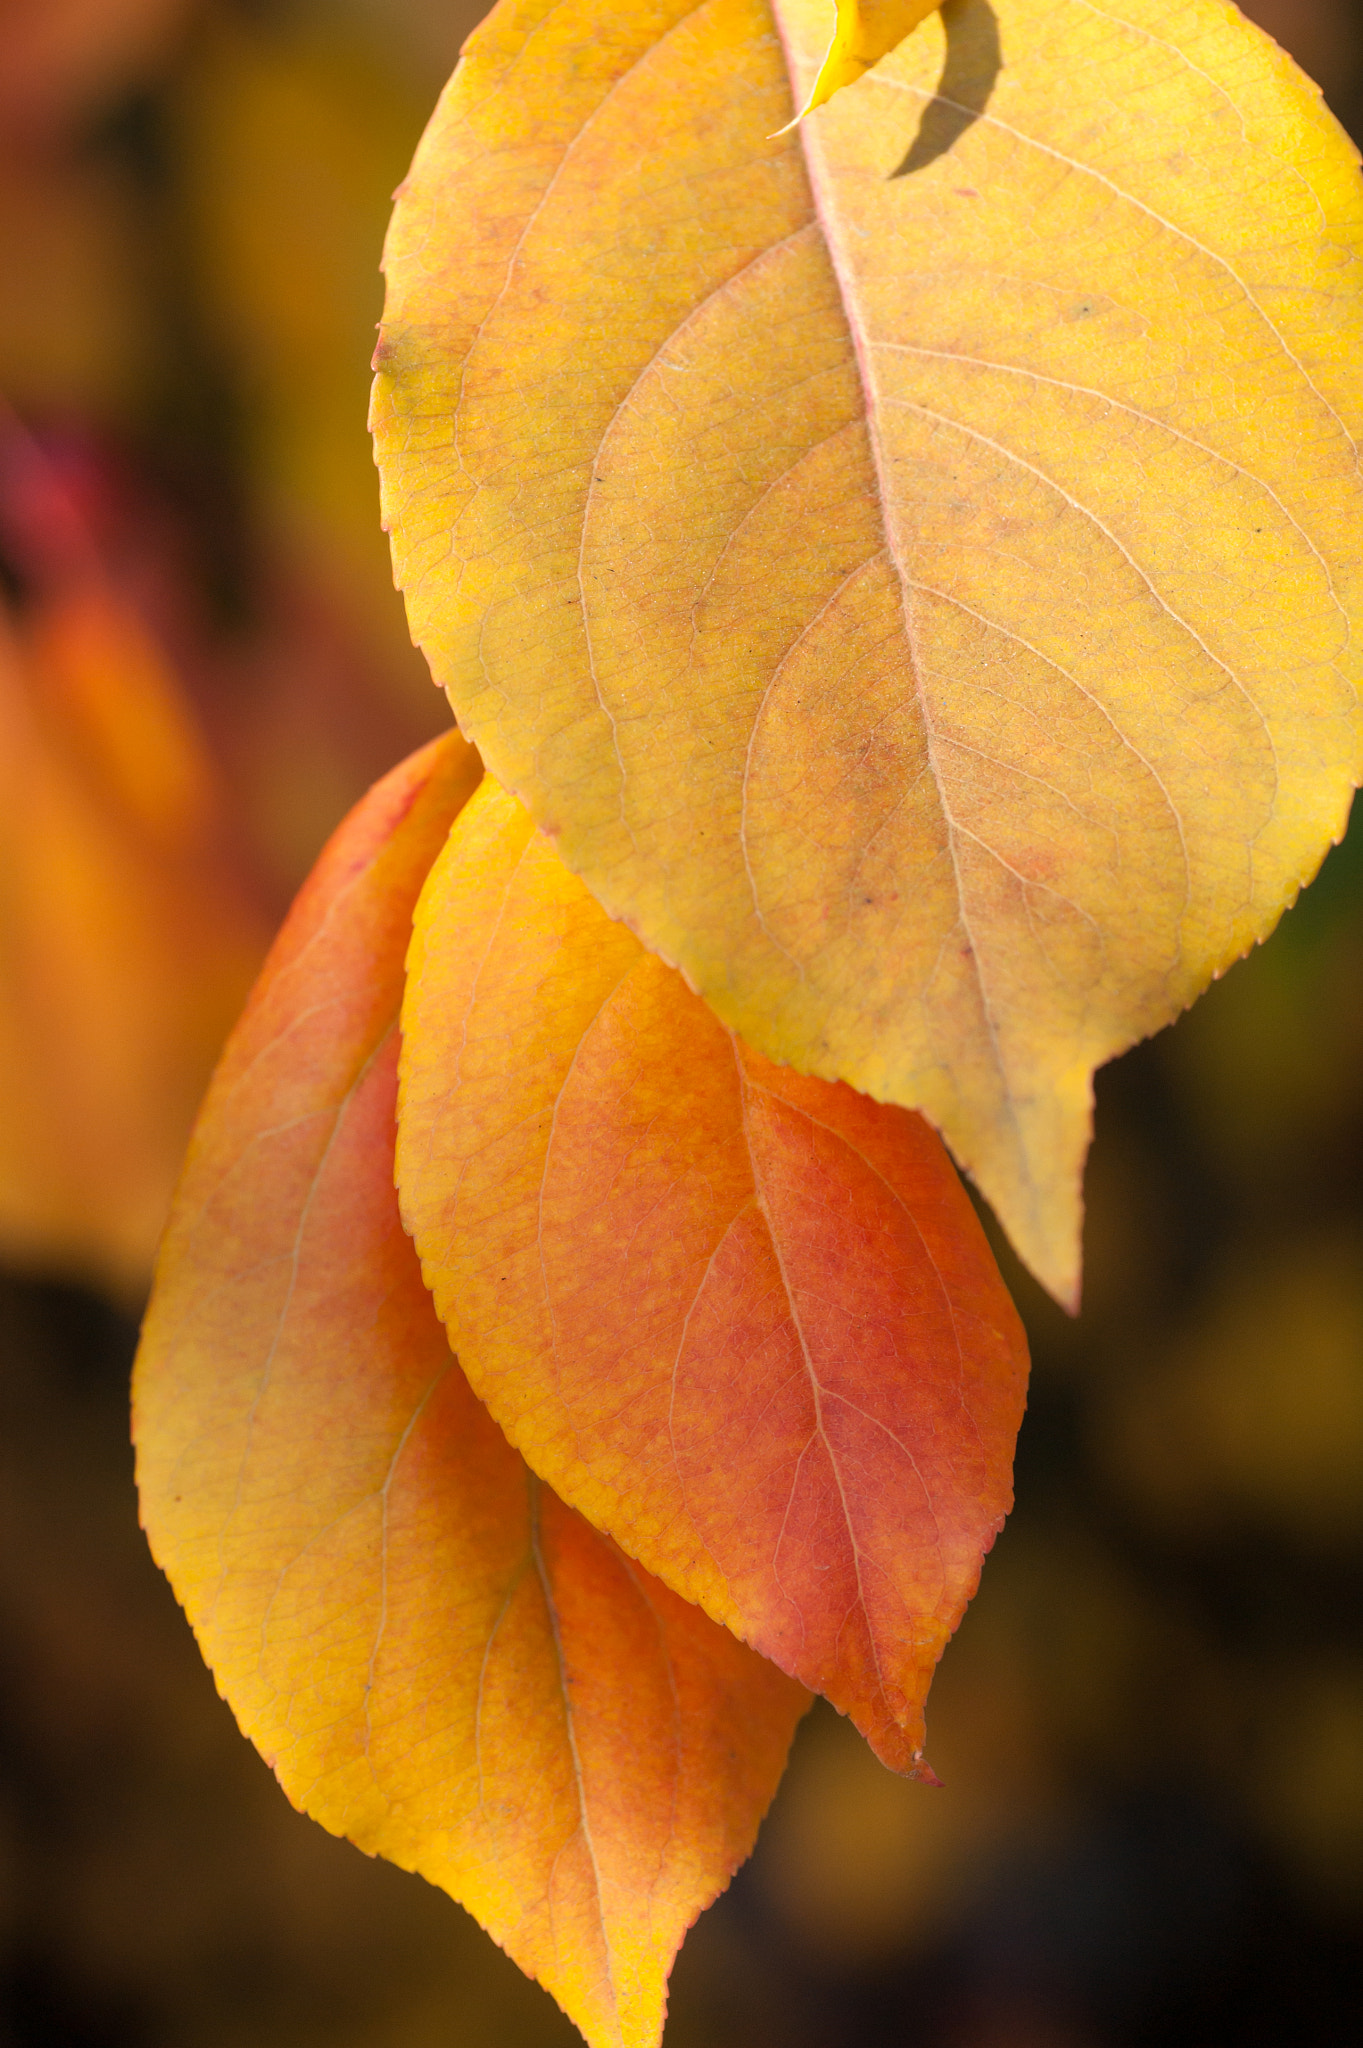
(744, 1322)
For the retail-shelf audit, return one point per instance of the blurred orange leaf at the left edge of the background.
(128, 941)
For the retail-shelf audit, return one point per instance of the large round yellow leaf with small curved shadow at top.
(906, 564)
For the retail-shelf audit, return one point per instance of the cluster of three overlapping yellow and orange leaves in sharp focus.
(897, 568)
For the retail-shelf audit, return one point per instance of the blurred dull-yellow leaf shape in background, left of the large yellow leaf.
(292, 138)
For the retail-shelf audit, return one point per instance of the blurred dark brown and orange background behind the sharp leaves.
(1151, 1725)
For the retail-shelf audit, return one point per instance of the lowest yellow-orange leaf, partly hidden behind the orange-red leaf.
(437, 1656)
